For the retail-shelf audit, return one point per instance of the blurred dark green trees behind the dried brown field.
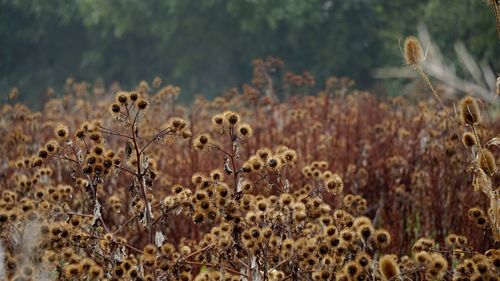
(207, 46)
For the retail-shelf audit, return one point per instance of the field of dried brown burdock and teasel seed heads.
(114, 184)
